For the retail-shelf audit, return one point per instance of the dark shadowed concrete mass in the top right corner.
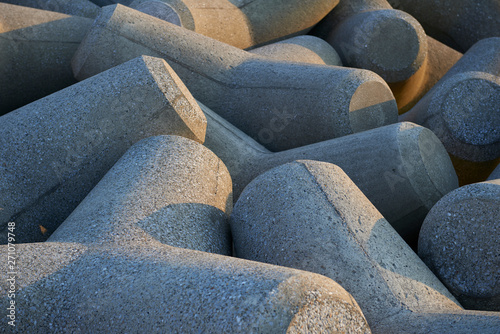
(457, 23)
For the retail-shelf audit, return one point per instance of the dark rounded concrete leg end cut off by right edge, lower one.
(460, 240)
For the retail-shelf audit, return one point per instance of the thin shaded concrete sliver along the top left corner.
(83, 8)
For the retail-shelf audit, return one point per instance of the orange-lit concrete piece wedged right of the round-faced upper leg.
(440, 59)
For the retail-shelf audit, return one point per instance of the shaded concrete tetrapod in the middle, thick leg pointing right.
(402, 168)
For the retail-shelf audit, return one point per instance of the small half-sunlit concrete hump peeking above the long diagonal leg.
(305, 49)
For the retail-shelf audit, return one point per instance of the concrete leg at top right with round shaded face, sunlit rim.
(370, 34)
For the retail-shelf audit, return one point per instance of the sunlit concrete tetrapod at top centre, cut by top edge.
(240, 23)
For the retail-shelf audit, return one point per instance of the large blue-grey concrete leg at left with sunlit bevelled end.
(55, 150)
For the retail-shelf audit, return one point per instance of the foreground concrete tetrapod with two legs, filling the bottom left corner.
(113, 257)
